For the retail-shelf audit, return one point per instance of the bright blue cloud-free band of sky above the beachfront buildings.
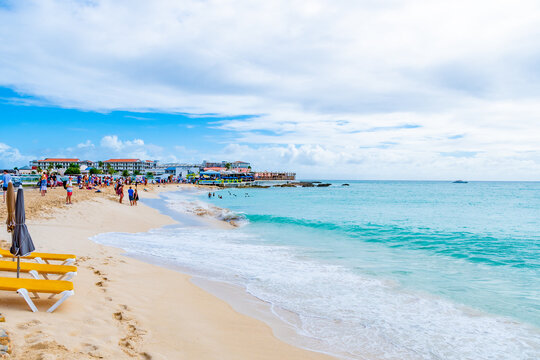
(47, 130)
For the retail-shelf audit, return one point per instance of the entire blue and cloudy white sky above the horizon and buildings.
(330, 89)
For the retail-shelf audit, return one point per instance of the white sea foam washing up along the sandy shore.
(350, 315)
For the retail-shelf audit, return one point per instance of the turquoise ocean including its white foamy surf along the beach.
(376, 269)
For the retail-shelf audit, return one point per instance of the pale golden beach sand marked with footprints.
(124, 308)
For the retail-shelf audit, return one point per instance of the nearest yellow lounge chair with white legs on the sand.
(23, 286)
